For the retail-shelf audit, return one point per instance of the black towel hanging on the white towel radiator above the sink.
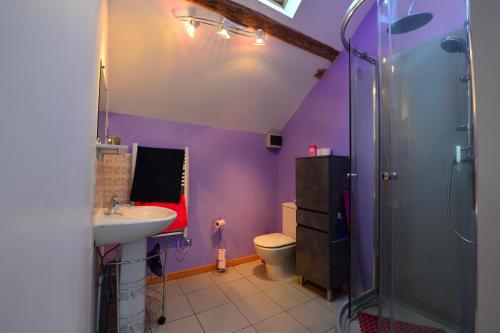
(158, 175)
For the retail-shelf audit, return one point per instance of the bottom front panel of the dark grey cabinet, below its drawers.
(313, 256)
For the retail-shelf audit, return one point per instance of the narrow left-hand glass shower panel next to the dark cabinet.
(363, 181)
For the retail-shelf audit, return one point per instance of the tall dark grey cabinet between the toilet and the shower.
(322, 252)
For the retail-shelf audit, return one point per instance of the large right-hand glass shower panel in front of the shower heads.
(428, 233)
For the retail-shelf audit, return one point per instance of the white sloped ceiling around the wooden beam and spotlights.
(156, 70)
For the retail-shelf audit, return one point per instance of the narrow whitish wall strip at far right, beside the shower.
(485, 28)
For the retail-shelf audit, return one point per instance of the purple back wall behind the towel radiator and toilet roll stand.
(232, 175)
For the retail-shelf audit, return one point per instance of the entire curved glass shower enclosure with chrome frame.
(413, 226)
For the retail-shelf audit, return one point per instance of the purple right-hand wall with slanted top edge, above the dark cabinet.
(323, 117)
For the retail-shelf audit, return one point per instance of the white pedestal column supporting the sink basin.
(132, 286)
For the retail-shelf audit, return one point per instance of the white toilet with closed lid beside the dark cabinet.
(278, 249)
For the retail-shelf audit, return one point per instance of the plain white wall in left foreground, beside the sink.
(48, 79)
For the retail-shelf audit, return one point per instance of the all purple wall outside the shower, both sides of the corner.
(234, 175)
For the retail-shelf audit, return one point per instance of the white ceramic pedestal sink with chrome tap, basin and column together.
(131, 226)
